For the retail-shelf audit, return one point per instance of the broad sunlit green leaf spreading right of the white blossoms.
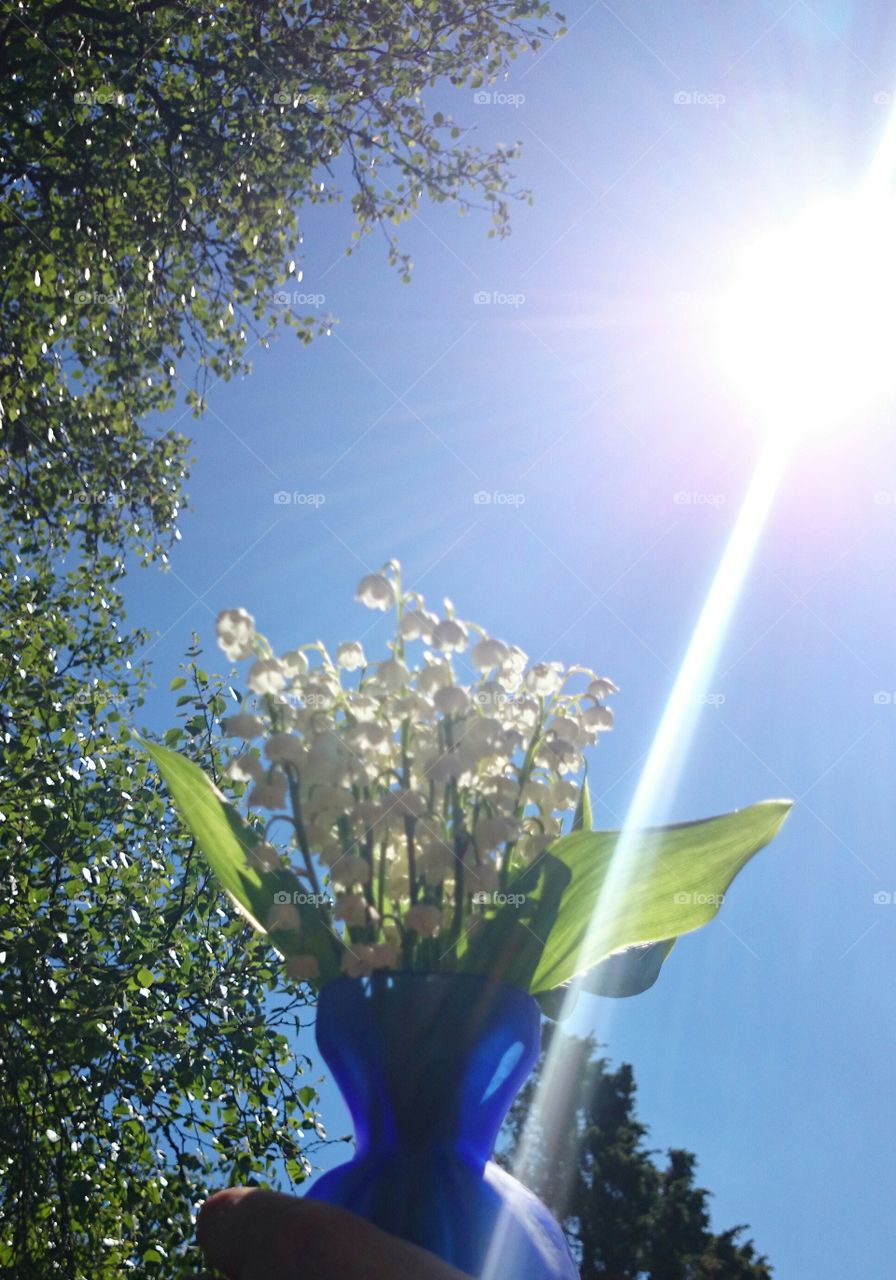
(674, 883)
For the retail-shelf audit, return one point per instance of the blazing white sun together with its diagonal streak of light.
(807, 335)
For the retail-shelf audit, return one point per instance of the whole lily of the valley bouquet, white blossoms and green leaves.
(429, 811)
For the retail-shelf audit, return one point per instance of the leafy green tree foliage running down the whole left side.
(156, 161)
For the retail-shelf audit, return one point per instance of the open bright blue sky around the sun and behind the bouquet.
(583, 400)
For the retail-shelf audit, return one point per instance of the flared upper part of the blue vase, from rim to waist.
(428, 1060)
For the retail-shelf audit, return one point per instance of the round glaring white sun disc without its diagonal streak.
(808, 330)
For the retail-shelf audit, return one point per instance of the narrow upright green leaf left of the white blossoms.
(227, 843)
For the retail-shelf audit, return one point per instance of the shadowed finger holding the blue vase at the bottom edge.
(254, 1235)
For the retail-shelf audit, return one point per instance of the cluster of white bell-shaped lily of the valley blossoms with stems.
(419, 784)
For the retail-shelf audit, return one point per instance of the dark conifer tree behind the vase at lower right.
(627, 1215)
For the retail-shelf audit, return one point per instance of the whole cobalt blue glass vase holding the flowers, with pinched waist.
(429, 1066)
